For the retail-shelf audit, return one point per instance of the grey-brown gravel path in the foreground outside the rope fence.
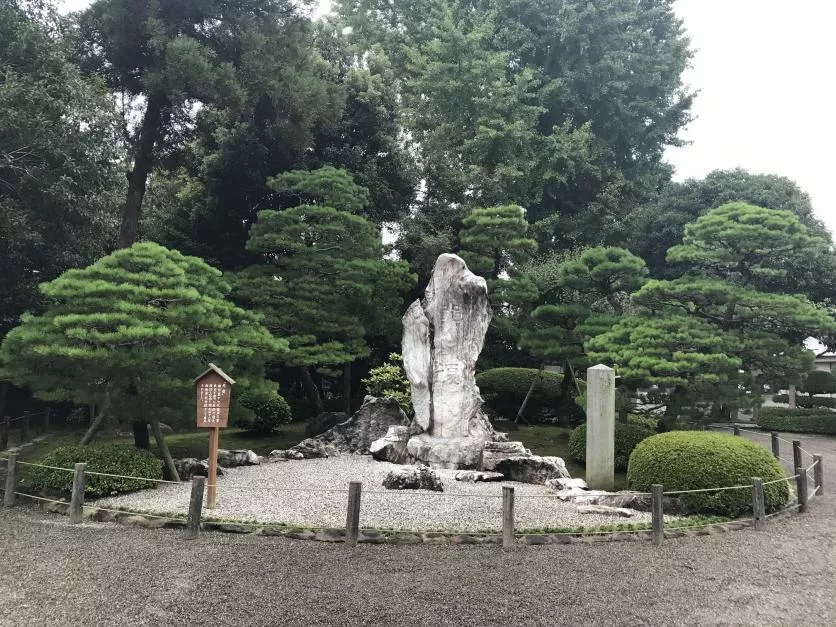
(54, 574)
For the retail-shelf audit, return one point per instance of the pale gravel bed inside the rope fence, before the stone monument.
(313, 493)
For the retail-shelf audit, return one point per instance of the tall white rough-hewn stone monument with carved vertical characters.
(443, 336)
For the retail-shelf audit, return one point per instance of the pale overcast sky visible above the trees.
(761, 68)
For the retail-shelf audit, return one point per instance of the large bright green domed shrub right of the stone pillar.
(693, 460)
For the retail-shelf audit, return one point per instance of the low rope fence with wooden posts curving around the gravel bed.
(352, 528)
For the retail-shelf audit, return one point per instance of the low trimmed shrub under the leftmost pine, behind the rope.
(115, 459)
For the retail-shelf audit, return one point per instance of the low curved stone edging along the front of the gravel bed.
(371, 536)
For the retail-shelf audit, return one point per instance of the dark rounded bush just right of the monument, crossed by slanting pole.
(505, 388)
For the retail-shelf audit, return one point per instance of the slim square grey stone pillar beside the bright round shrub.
(600, 427)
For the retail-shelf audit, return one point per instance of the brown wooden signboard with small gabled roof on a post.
(213, 389)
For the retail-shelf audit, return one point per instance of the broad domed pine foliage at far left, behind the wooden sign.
(131, 331)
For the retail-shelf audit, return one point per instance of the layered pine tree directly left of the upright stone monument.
(322, 282)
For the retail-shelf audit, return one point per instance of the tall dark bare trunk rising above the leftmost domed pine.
(138, 178)
